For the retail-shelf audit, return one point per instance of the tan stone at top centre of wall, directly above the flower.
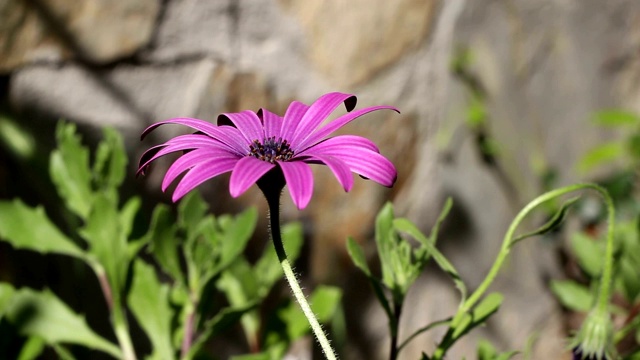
(350, 41)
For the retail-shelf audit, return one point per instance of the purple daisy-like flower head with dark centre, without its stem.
(250, 145)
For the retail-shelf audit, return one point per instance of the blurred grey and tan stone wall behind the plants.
(541, 68)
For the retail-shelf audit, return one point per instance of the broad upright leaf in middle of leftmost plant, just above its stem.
(107, 241)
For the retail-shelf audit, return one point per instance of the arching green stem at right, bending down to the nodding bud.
(605, 285)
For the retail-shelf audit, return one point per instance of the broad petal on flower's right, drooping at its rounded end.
(363, 161)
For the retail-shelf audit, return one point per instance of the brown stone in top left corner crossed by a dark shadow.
(96, 31)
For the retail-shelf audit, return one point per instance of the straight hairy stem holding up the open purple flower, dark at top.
(273, 199)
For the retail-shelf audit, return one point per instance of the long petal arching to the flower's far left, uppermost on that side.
(227, 135)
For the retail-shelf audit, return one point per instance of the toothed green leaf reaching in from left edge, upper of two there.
(30, 228)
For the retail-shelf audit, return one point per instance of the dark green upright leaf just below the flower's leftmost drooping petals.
(164, 242)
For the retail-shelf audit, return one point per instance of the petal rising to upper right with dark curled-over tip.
(318, 112)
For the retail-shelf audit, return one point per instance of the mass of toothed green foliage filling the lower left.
(194, 252)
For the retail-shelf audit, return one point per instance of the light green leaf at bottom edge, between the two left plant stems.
(149, 302)
